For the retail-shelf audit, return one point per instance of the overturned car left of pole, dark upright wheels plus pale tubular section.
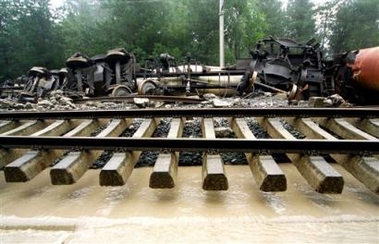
(117, 74)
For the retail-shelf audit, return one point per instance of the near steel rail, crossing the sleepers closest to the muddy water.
(308, 146)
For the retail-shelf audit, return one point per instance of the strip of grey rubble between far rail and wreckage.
(57, 101)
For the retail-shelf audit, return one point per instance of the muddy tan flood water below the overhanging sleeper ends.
(134, 213)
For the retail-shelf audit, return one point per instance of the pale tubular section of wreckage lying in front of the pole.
(165, 76)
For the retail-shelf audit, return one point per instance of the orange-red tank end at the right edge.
(366, 68)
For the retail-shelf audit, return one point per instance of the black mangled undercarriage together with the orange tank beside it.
(301, 70)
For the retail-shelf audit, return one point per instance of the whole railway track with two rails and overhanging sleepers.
(68, 142)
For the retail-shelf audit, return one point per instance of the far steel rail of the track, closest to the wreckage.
(194, 112)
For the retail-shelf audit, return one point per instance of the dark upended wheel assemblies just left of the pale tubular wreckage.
(100, 75)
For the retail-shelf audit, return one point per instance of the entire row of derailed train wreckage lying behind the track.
(280, 65)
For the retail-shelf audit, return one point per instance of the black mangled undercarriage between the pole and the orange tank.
(287, 65)
